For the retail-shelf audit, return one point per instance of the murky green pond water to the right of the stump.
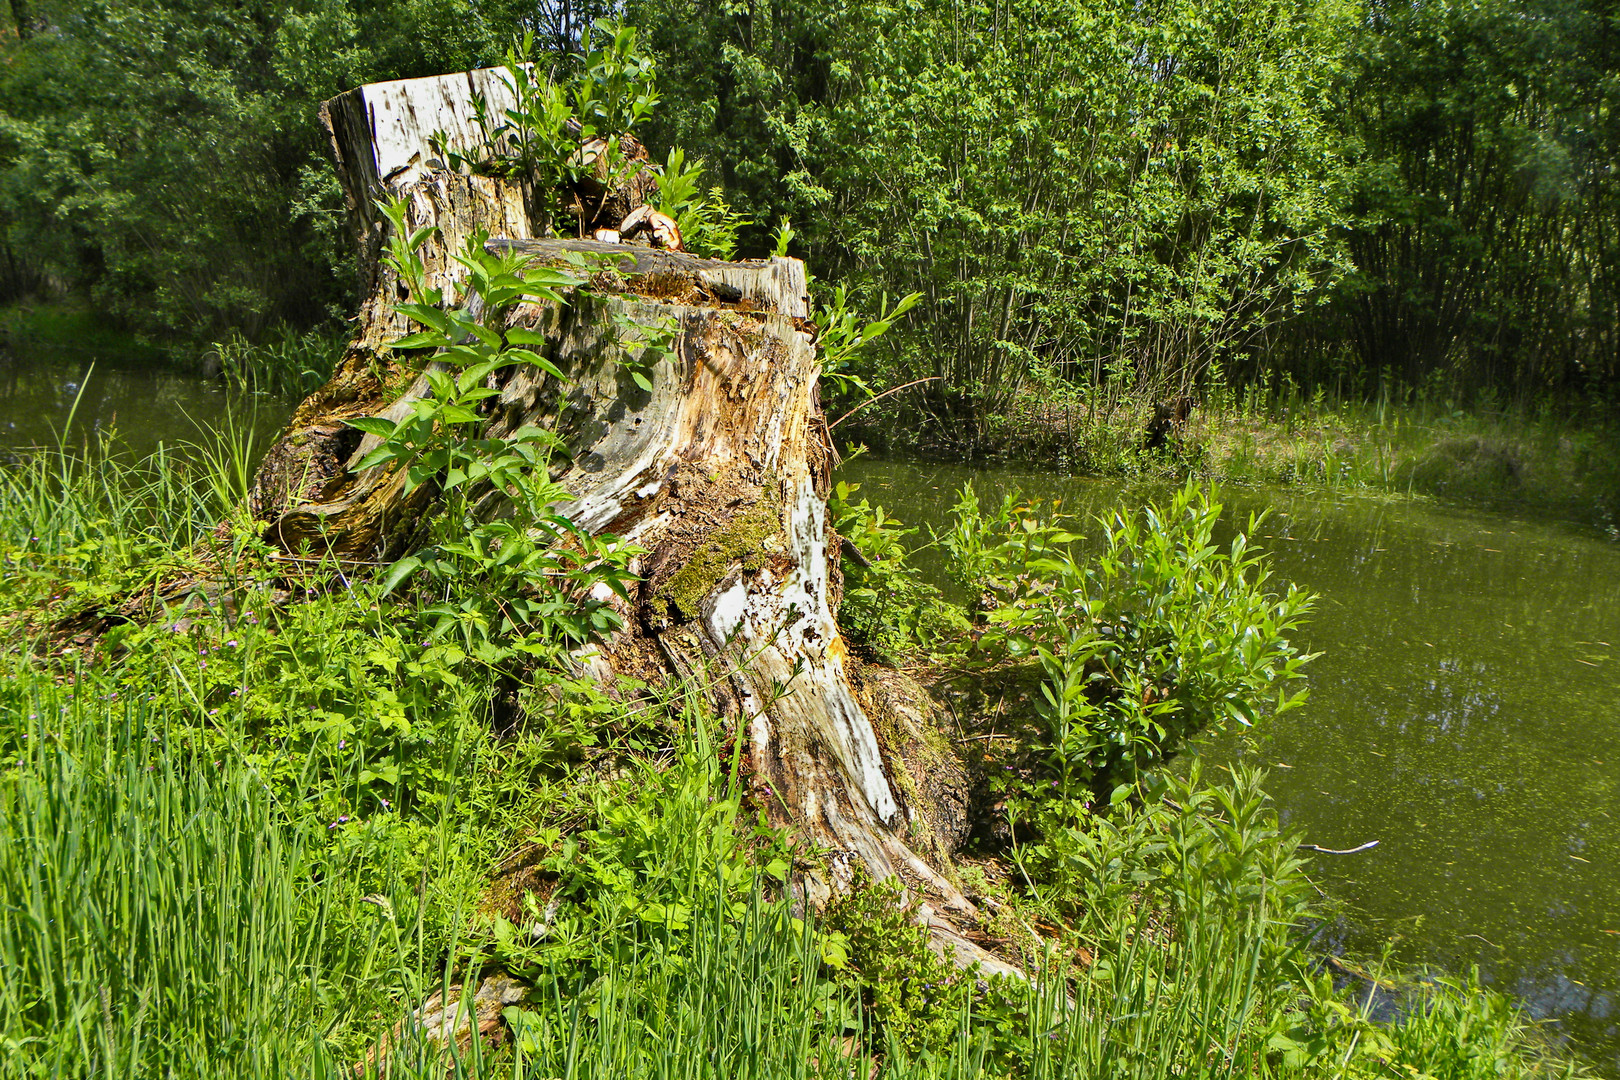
(1465, 713)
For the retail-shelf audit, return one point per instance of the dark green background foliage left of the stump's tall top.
(166, 158)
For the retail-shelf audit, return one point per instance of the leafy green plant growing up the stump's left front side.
(511, 572)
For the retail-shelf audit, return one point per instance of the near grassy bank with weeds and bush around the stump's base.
(250, 833)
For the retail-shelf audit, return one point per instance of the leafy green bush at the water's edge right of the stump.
(1157, 639)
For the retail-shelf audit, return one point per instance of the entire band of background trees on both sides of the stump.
(1107, 200)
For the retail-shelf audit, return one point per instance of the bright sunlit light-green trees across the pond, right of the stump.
(1122, 192)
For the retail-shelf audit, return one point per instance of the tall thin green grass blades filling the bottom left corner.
(156, 906)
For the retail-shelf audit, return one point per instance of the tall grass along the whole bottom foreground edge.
(163, 916)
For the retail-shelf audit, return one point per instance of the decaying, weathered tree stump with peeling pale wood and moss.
(720, 472)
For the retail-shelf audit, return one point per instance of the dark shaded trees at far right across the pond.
(1483, 213)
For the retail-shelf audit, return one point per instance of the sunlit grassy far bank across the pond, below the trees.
(1554, 459)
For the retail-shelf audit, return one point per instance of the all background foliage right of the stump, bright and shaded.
(1370, 198)
